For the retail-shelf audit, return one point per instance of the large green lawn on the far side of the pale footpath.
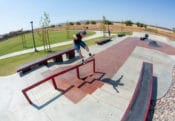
(15, 44)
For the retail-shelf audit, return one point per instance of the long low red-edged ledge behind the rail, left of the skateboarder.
(57, 57)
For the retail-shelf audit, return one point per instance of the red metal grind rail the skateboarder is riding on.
(52, 77)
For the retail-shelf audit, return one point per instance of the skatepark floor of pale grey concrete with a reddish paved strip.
(120, 60)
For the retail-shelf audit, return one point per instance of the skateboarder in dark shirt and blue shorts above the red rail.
(78, 42)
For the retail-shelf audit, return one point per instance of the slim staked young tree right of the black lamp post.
(44, 35)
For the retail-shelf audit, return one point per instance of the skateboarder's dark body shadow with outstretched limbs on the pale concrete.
(114, 83)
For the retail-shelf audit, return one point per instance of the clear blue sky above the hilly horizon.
(17, 14)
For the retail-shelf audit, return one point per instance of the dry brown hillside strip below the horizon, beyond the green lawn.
(118, 27)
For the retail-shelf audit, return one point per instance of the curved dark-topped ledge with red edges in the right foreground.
(138, 107)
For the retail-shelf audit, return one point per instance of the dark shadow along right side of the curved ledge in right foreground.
(153, 100)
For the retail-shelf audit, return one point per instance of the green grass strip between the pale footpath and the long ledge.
(8, 66)
